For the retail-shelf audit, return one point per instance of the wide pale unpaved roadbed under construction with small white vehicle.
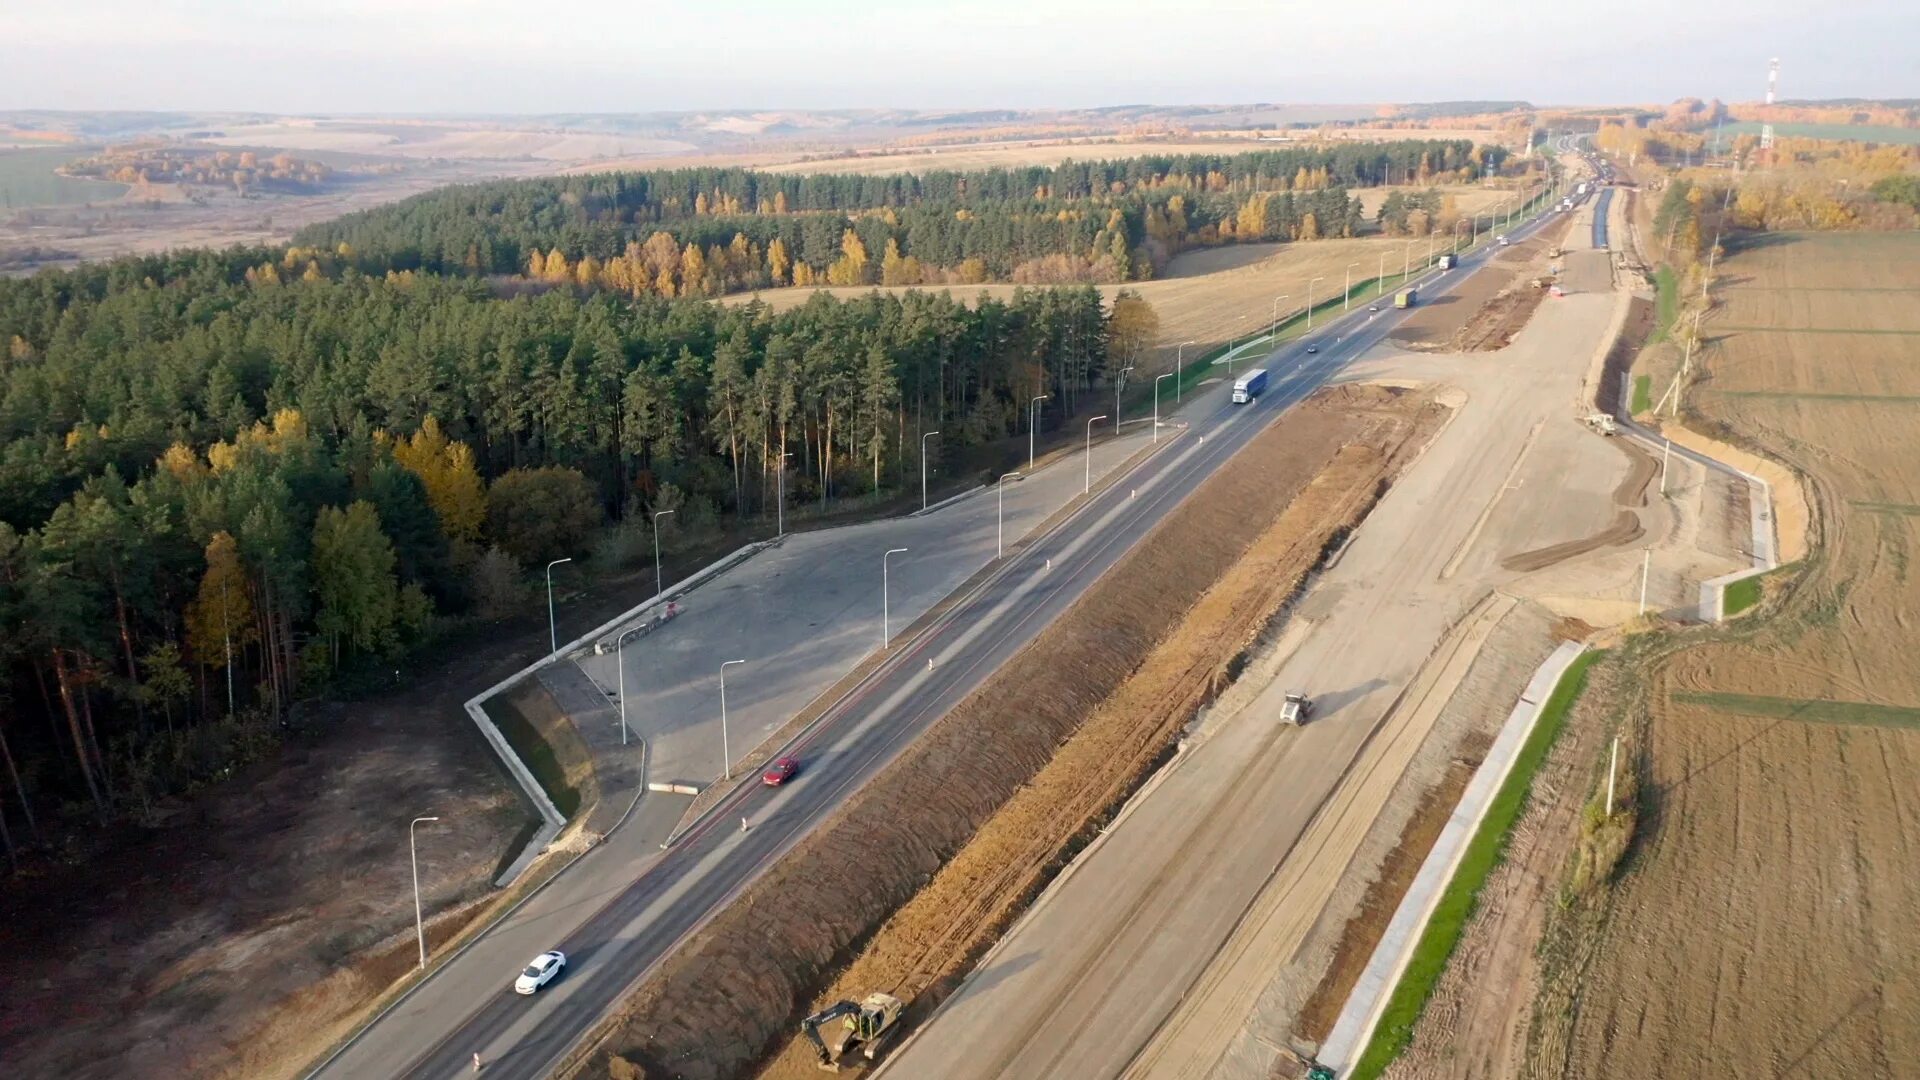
(1124, 966)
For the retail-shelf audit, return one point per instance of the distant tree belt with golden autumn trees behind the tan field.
(713, 232)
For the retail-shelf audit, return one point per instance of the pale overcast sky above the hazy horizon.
(435, 57)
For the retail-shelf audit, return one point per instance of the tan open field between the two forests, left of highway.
(1207, 297)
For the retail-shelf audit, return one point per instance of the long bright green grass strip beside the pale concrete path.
(1485, 852)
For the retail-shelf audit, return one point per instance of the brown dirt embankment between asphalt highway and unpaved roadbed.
(1120, 668)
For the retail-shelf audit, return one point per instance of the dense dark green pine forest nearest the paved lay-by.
(224, 487)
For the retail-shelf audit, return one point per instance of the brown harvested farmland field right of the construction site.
(1765, 921)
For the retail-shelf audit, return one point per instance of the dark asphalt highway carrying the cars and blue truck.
(638, 927)
